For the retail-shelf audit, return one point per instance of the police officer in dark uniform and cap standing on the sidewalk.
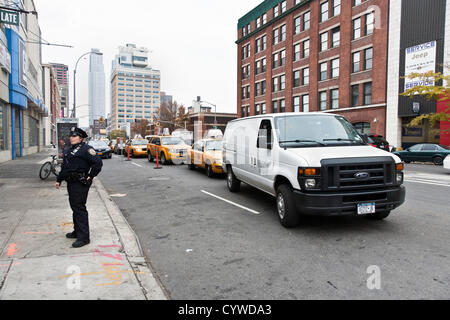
(80, 166)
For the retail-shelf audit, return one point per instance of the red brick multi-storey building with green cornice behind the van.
(315, 55)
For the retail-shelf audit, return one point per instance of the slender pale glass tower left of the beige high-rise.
(97, 97)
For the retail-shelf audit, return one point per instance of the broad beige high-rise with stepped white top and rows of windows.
(135, 87)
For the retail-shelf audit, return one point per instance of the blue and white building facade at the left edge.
(22, 107)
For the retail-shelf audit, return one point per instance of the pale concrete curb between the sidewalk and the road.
(151, 287)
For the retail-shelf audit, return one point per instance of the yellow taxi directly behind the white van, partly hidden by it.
(207, 154)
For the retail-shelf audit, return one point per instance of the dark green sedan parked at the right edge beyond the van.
(426, 152)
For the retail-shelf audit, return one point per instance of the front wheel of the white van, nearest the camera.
(287, 212)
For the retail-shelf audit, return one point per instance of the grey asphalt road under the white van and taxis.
(202, 247)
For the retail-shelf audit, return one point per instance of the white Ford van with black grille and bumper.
(313, 163)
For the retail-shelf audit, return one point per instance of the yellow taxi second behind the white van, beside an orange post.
(168, 148)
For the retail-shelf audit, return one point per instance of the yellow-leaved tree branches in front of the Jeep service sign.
(440, 92)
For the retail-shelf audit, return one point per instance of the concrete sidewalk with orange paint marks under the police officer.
(37, 261)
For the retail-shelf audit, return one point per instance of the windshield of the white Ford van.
(315, 131)
